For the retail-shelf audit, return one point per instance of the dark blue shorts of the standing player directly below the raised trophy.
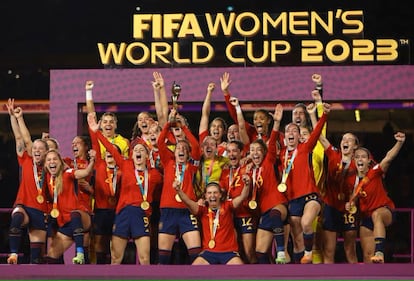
(177, 221)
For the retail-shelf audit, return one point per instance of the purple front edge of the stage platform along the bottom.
(209, 272)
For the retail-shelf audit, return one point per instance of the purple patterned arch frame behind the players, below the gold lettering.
(341, 83)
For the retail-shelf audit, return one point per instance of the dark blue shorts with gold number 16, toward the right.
(337, 221)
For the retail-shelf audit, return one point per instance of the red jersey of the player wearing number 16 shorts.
(337, 192)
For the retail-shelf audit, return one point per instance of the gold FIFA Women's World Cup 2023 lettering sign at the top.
(247, 38)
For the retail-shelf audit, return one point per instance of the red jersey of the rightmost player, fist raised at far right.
(373, 194)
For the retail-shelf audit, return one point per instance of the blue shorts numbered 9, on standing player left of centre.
(131, 222)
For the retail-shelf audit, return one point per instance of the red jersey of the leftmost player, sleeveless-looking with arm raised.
(28, 188)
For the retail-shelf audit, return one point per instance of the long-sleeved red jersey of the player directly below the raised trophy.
(187, 171)
